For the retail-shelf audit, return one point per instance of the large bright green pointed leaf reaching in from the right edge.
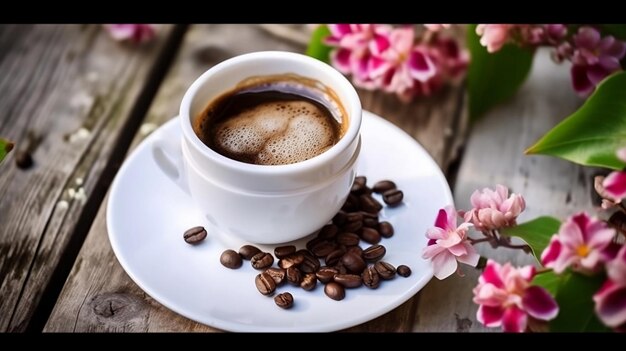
(591, 135)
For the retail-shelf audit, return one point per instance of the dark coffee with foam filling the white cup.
(273, 120)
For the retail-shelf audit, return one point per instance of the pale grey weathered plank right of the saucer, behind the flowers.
(494, 154)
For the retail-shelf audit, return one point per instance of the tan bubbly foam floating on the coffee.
(276, 133)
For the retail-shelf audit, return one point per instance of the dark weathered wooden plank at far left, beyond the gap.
(66, 92)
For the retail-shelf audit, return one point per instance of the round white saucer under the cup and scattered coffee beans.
(147, 215)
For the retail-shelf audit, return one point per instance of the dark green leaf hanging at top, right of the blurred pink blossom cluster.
(493, 78)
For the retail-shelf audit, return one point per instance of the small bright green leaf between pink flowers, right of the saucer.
(535, 233)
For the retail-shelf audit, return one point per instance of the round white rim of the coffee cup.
(352, 105)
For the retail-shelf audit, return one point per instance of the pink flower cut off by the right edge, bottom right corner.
(611, 298)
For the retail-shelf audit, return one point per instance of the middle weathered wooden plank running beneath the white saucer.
(99, 296)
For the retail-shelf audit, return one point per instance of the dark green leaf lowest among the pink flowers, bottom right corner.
(574, 297)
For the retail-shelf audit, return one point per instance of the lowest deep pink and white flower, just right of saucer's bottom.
(506, 298)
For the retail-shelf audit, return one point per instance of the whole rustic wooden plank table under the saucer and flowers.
(81, 102)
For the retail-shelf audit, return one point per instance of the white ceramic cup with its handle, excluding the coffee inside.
(263, 204)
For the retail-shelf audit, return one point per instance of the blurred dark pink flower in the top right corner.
(594, 58)
